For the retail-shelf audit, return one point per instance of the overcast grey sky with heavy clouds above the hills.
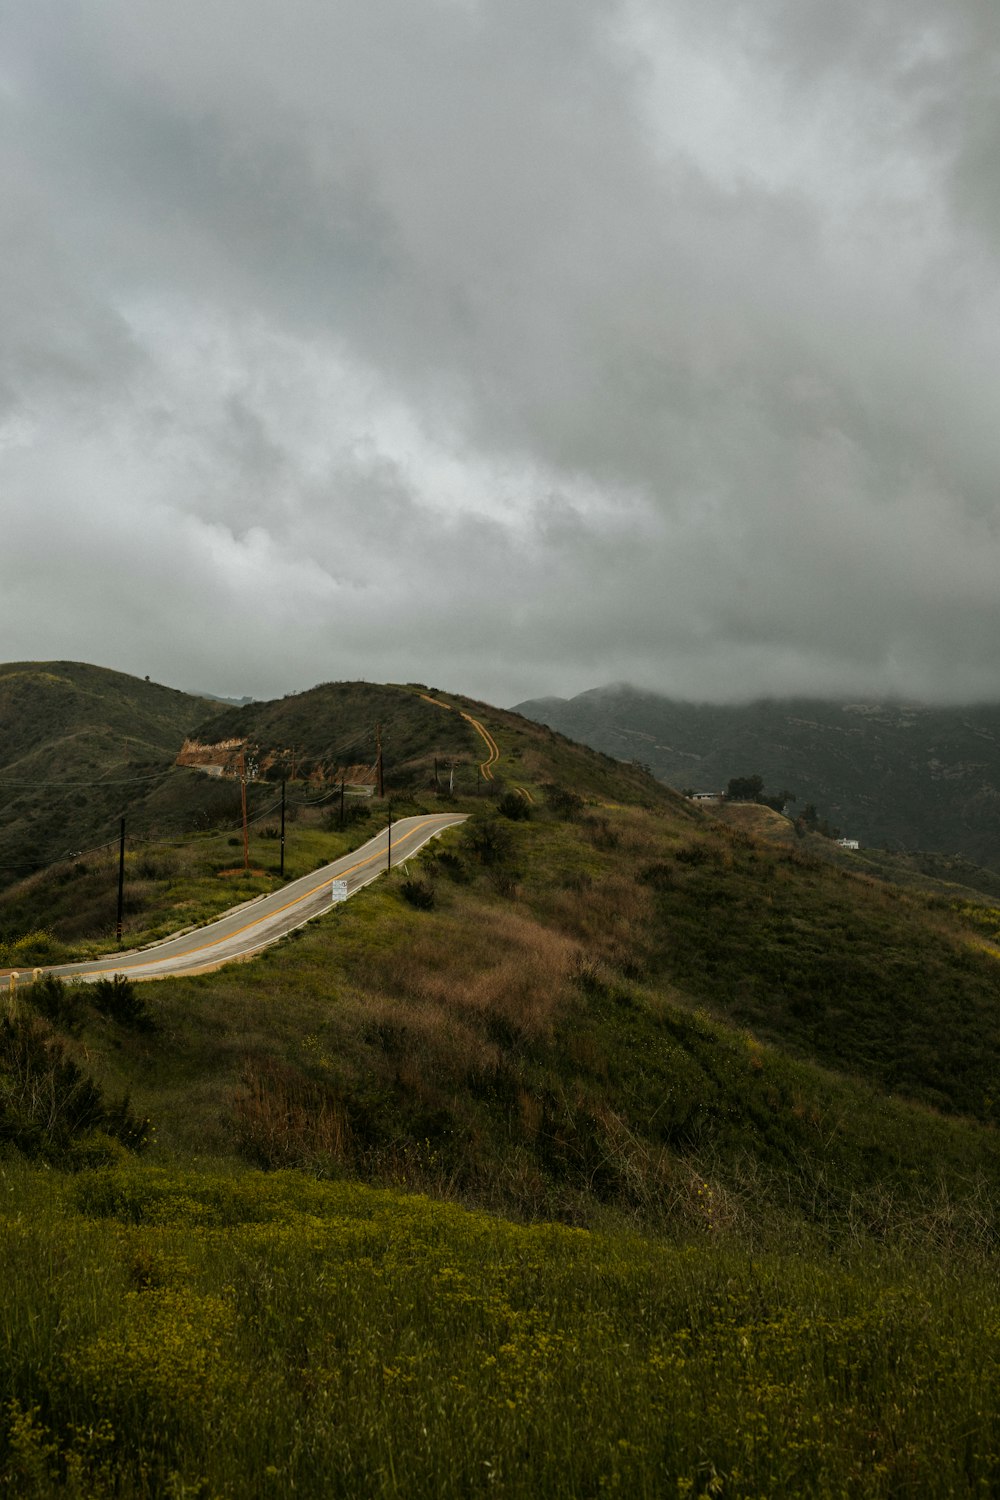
(503, 346)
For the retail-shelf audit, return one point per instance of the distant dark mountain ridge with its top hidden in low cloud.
(896, 775)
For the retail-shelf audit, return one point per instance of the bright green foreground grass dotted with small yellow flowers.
(172, 1334)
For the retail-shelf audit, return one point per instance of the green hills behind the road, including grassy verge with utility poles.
(131, 748)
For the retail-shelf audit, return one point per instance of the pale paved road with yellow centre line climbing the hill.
(260, 923)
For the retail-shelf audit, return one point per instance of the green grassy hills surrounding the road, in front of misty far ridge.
(609, 1142)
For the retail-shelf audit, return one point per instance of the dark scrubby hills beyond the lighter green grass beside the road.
(83, 746)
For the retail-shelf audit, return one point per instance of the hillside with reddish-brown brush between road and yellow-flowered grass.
(587, 1000)
